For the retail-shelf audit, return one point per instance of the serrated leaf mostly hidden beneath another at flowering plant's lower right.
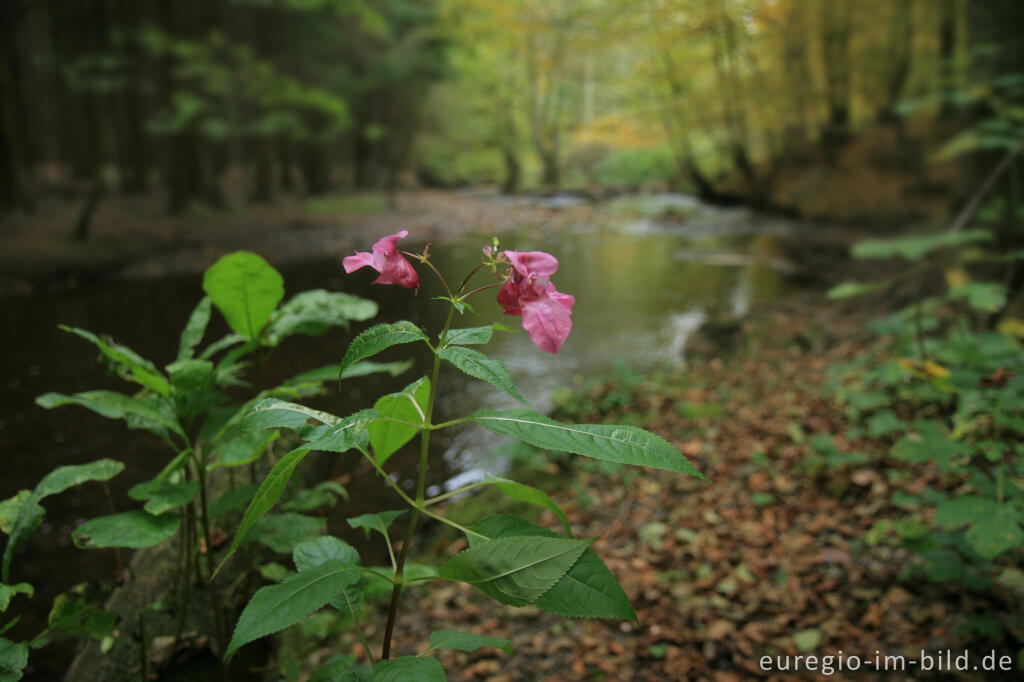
(588, 590)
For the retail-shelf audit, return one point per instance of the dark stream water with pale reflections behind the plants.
(641, 289)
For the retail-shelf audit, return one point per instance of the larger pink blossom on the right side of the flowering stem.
(531, 294)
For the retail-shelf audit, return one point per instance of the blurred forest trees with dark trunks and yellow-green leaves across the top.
(715, 97)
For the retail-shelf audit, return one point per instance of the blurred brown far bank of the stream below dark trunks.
(134, 237)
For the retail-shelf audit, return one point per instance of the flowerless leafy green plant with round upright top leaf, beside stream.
(189, 405)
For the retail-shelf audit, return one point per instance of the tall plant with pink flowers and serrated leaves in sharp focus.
(510, 560)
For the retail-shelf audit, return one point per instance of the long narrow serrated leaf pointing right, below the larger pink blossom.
(624, 445)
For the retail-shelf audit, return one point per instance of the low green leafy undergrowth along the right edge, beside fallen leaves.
(947, 392)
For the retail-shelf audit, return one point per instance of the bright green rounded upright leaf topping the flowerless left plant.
(246, 290)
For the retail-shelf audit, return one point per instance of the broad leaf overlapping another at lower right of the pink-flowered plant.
(516, 571)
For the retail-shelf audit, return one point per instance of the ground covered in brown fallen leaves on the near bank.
(770, 559)
